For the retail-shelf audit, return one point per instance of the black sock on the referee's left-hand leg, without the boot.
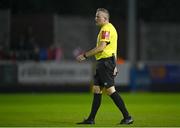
(95, 106)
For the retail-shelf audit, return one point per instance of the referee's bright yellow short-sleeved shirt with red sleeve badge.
(107, 34)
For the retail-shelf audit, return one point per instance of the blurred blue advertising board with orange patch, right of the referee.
(155, 76)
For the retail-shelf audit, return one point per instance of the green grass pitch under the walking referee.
(65, 109)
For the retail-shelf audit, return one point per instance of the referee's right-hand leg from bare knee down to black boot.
(120, 104)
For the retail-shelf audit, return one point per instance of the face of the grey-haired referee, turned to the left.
(100, 18)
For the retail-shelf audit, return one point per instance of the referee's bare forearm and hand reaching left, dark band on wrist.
(92, 52)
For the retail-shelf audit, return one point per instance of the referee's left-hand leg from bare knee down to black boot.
(97, 90)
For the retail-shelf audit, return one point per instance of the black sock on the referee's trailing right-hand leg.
(120, 104)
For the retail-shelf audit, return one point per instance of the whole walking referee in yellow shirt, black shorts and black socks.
(105, 54)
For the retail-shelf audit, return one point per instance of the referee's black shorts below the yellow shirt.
(104, 72)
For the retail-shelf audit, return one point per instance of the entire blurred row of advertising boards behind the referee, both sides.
(77, 77)
